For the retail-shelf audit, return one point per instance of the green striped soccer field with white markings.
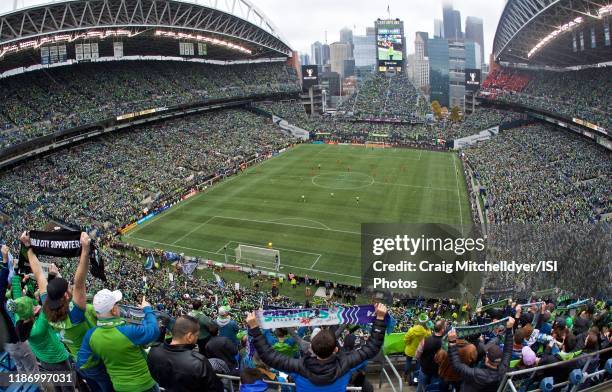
(318, 235)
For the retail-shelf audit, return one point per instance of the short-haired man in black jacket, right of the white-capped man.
(177, 366)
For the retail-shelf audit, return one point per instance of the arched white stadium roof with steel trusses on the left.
(224, 22)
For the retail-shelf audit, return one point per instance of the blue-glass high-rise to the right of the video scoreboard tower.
(438, 70)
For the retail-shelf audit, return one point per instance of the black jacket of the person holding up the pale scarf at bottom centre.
(316, 371)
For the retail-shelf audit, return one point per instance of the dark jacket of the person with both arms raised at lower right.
(481, 379)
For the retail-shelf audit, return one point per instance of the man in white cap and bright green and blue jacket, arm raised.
(117, 344)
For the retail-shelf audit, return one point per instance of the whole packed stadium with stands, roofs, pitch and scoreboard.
(166, 189)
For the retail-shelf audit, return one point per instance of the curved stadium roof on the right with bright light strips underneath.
(547, 32)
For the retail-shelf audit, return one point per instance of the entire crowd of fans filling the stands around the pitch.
(188, 329)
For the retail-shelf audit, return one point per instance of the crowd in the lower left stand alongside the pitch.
(110, 181)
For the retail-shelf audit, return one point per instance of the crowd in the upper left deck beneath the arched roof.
(47, 101)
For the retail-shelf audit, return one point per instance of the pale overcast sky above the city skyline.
(302, 22)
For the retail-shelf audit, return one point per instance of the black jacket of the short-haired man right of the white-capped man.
(181, 368)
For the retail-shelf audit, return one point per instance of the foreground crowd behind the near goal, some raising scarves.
(186, 333)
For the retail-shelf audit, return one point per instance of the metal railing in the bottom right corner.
(576, 379)
